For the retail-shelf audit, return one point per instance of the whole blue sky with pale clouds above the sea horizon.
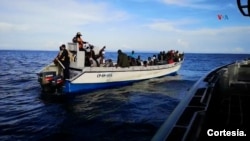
(191, 26)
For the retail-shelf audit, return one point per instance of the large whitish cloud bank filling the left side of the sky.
(48, 23)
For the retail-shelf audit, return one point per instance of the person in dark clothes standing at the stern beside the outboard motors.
(64, 59)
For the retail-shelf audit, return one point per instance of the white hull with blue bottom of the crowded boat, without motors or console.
(100, 77)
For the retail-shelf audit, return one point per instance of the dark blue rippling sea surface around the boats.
(131, 113)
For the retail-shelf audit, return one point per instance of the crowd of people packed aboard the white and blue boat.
(94, 59)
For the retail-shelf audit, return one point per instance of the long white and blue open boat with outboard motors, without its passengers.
(86, 78)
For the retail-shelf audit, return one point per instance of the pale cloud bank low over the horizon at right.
(202, 39)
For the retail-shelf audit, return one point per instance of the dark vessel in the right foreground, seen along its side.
(217, 105)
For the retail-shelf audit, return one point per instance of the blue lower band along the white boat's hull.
(88, 87)
